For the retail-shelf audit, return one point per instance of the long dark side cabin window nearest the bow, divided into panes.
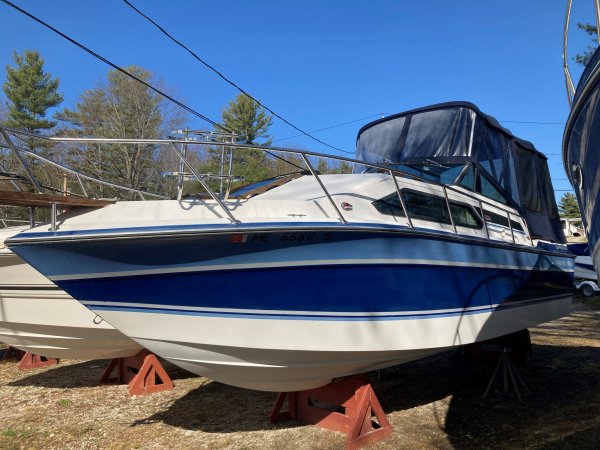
(428, 207)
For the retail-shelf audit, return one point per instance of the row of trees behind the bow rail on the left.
(121, 107)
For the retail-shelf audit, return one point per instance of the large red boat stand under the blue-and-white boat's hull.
(354, 394)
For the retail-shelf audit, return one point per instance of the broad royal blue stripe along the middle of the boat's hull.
(341, 289)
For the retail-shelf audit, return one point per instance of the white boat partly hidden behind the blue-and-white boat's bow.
(37, 316)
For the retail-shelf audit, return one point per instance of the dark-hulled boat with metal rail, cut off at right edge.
(581, 142)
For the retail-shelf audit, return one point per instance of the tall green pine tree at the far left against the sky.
(30, 92)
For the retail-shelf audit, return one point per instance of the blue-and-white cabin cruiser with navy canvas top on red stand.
(446, 234)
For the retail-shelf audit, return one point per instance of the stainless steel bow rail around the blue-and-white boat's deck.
(304, 155)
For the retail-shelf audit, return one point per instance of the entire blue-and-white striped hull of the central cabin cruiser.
(258, 311)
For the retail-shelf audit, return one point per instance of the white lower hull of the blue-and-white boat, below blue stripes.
(290, 355)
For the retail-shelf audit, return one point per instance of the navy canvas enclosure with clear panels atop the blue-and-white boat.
(458, 132)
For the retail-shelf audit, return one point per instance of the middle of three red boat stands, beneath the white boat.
(142, 372)
